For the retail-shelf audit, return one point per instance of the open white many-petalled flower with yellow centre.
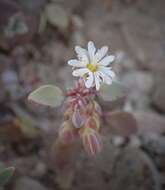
(92, 65)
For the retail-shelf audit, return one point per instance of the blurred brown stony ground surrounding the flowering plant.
(37, 37)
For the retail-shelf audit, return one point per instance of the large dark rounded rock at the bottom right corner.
(134, 168)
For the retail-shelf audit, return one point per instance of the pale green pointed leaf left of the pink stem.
(48, 95)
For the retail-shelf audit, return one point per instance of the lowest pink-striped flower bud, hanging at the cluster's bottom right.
(91, 141)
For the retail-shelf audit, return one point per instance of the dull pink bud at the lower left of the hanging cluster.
(67, 132)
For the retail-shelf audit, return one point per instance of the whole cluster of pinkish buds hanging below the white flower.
(82, 116)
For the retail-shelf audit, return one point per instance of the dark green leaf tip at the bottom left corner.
(5, 175)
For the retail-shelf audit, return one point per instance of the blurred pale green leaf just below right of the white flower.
(112, 92)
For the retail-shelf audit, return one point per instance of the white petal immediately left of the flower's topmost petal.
(82, 54)
